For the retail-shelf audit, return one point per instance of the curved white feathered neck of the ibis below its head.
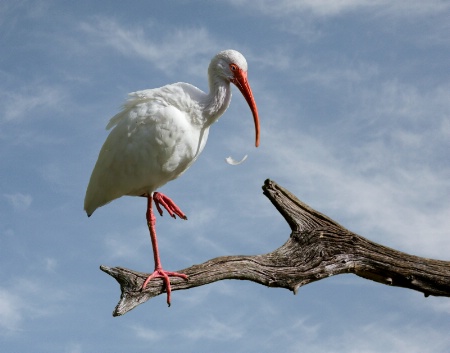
(217, 100)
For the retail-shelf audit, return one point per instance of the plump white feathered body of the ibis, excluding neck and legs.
(152, 142)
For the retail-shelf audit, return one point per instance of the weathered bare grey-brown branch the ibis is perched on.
(318, 247)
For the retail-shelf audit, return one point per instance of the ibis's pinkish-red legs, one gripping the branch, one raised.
(170, 206)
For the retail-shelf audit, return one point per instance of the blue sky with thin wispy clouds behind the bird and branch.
(354, 104)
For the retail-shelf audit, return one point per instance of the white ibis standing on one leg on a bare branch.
(157, 136)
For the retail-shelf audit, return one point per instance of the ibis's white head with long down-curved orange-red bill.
(232, 66)
